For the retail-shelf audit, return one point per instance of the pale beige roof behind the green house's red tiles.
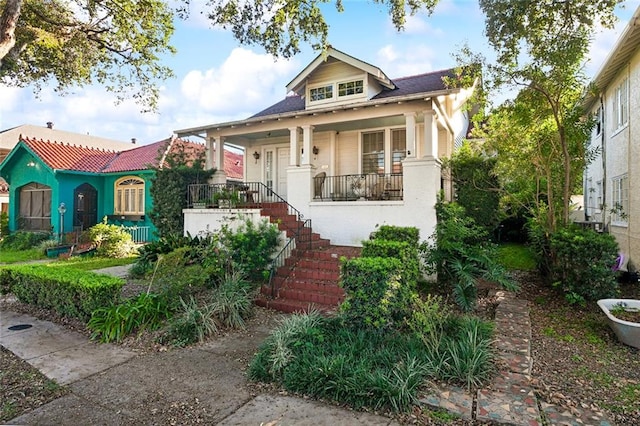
(10, 137)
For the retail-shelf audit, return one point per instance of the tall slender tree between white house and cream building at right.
(541, 48)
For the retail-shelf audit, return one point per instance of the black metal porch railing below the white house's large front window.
(358, 187)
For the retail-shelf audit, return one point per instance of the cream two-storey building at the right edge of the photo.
(612, 181)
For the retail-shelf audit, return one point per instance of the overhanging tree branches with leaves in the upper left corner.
(116, 43)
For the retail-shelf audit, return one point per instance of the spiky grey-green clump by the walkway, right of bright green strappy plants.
(192, 324)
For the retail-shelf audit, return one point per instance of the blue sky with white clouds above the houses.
(218, 80)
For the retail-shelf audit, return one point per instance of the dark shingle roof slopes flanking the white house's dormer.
(405, 86)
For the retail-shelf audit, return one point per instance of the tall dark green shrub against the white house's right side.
(477, 186)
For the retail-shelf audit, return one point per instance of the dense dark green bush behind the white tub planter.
(583, 263)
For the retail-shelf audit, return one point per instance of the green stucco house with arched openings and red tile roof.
(60, 187)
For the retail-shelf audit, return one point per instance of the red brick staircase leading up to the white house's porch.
(309, 277)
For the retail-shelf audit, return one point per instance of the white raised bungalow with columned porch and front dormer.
(350, 148)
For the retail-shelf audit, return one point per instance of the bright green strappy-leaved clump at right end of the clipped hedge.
(114, 323)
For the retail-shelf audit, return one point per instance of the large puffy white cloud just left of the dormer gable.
(245, 81)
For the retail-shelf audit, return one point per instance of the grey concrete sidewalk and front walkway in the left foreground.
(111, 385)
